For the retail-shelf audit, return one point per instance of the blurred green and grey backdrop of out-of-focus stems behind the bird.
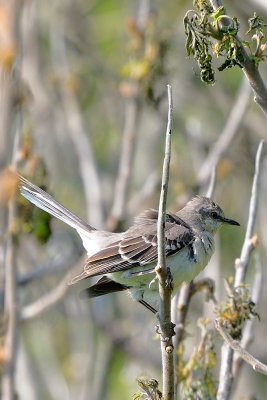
(83, 115)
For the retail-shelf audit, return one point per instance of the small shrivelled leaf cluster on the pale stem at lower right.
(237, 309)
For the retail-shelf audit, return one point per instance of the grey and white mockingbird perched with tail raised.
(127, 260)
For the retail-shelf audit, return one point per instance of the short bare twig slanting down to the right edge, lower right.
(235, 345)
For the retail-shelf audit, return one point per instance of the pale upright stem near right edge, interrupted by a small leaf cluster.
(225, 379)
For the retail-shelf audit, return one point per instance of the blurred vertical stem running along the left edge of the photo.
(8, 35)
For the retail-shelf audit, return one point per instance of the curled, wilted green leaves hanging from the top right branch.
(203, 26)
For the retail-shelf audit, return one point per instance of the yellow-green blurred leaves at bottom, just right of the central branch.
(196, 375)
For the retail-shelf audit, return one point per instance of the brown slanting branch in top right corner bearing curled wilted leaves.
(250, 69)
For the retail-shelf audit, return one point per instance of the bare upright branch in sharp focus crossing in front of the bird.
(165, 288)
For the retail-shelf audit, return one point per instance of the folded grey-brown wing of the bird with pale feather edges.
(138, 245)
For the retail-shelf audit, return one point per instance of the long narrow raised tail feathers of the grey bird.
(47, 203)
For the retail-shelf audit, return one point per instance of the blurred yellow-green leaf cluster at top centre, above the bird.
(147, 51)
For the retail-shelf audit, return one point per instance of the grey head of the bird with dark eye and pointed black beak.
(206, 214)
